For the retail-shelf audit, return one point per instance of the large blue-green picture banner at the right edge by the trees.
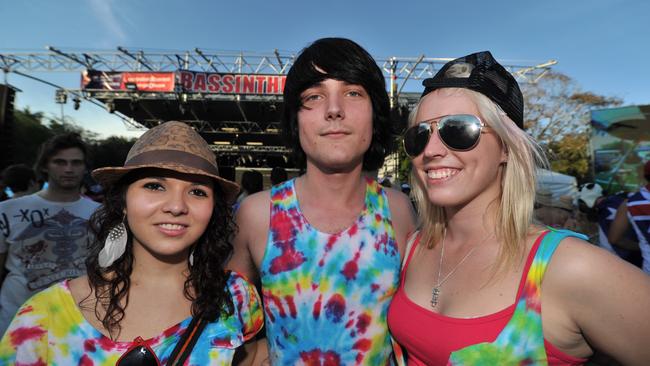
(621, 145)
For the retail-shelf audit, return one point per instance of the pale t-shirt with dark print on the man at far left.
(45, 242)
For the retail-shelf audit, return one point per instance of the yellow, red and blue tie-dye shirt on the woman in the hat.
(49, 329)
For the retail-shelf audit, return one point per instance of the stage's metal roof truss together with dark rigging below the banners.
(234, 124)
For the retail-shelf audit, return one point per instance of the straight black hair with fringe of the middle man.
(344, 60)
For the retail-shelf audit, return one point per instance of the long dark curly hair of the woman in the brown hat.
(206, 284)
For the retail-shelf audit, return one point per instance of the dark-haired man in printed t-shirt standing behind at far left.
(44, 236)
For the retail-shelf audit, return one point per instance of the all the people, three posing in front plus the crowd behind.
(180, 266)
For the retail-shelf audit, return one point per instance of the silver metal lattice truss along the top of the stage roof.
(397, 70)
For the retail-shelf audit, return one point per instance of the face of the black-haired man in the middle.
(335, 125)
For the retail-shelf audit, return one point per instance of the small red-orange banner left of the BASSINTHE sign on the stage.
(133, 81)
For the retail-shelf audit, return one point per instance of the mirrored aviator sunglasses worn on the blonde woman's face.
(458, 132)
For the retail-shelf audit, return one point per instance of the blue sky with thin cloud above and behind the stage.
(603, 45)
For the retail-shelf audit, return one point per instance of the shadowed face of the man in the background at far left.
(65, 169)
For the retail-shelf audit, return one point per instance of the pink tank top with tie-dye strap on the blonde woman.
(430, 338)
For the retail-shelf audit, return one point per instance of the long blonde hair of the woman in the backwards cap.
(514, 210)
